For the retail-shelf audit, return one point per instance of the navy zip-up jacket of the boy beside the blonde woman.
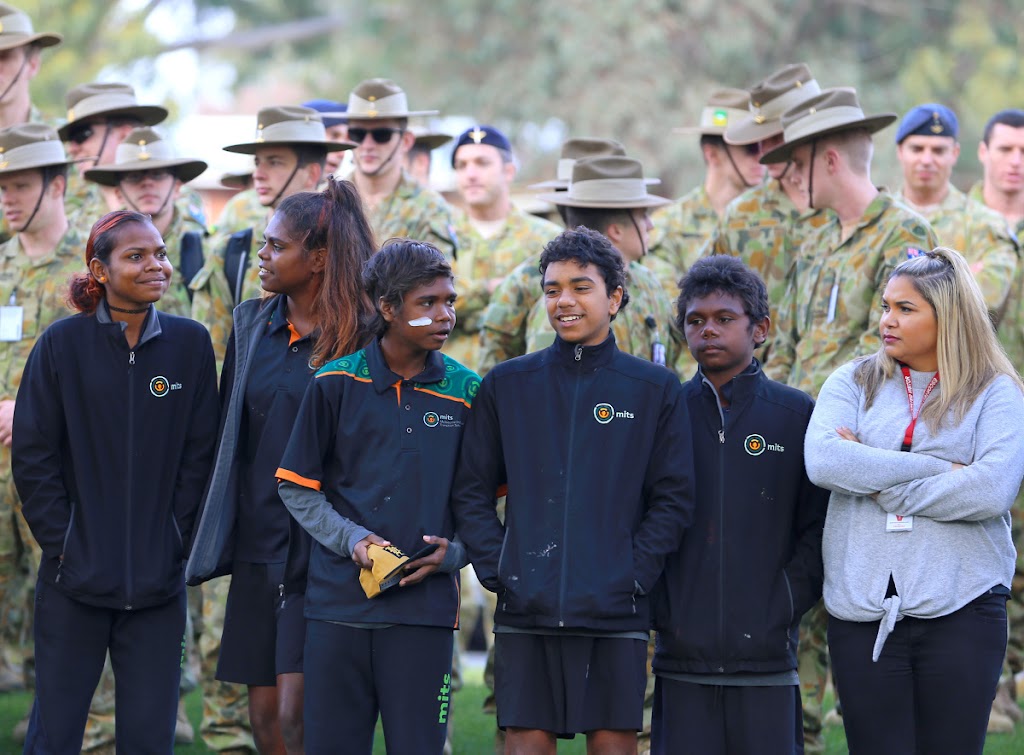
(732, 599)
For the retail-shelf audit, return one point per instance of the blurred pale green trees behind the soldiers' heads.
(632, 70)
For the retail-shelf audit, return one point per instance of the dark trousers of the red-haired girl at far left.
(72, 642)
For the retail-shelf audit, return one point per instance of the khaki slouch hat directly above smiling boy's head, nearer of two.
(611, 182)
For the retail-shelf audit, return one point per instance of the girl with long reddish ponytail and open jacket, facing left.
(312, 263)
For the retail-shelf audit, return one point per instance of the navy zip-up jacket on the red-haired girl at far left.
(112, 449)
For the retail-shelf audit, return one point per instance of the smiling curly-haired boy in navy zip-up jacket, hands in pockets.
(592, 446)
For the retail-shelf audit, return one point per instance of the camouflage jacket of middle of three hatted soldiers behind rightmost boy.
(765, 230)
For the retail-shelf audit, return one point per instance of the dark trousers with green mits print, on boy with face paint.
(402, 674)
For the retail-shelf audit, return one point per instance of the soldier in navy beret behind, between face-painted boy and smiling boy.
(494, 235)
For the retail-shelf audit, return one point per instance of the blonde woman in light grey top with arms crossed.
(920, 446)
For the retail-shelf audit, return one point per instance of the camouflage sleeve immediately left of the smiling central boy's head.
(503, 327)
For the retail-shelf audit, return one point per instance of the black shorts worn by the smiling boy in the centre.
(570, 685)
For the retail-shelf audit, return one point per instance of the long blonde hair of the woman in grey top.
(969, 354)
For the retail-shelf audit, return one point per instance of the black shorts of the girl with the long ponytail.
(248, 647)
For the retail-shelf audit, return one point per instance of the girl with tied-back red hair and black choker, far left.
(114, 434)
